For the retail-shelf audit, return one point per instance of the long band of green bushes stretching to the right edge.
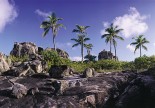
(140, 63)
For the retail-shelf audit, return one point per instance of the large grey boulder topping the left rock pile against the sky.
(25, 48)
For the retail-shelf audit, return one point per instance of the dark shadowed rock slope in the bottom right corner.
(140, 93)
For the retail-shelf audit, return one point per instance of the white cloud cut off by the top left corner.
(8, 13)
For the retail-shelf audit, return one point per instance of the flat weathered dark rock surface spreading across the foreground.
(112, 90)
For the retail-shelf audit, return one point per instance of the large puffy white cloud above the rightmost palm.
(132, 23)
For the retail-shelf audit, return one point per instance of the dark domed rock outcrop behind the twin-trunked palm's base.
(106, 55)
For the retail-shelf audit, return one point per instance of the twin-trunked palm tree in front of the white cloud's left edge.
(112, 34)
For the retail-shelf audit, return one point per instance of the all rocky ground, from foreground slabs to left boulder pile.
(28, 85)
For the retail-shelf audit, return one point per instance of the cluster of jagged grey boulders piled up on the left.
(34, 64)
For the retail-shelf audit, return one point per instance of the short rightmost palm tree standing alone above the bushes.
(139, 42)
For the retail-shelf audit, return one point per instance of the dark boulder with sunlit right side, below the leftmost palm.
(60, 71)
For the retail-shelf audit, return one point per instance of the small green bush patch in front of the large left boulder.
(19, 59)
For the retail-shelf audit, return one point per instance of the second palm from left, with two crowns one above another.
(81, 30)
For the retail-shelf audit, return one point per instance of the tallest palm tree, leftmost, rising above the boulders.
(53, 25)
